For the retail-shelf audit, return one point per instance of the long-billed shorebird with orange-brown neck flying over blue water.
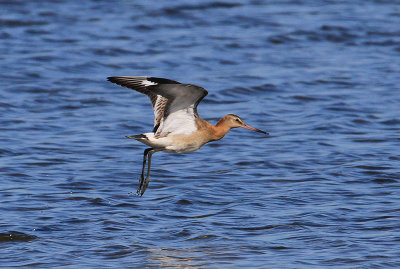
(177, 125)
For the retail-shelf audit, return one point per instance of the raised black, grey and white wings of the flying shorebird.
(174, 104)
